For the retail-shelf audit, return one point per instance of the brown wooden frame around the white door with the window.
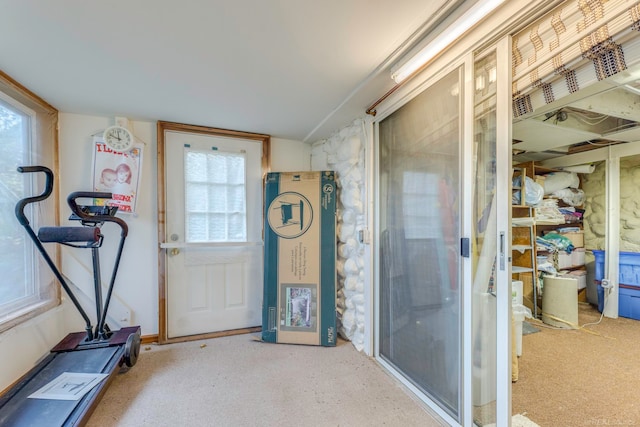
(162, 128)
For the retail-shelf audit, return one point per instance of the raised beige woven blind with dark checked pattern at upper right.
(576, 44)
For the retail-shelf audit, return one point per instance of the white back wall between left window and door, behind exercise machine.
(137, 280)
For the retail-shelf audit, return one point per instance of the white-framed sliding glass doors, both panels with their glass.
(442, 235)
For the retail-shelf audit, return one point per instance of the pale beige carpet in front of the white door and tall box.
(237, 381)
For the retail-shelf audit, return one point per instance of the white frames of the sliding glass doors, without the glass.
(503, 272)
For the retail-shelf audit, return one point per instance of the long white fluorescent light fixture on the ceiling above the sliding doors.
(437, 45)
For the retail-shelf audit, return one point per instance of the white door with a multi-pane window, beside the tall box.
(213, 233)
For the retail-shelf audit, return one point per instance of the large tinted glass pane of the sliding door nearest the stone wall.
(420, 322)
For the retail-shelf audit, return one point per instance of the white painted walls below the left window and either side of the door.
(136, 289)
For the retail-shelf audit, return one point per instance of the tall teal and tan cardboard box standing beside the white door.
(299, 305)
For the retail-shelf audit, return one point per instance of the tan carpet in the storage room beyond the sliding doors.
(577, 378)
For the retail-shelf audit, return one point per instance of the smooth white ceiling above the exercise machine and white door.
(293, 69)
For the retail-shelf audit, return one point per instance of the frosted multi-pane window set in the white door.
(215, 196)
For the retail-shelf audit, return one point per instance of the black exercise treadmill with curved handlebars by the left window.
(97, 350)
